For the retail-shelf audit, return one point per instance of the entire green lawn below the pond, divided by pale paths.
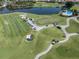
(14, 46)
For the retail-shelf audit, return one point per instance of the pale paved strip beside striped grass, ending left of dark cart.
(34, 25)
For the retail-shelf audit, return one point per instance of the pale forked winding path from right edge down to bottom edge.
(67, 36)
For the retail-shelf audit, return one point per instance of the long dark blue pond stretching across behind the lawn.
(32, 10)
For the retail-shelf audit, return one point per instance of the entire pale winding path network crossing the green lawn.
(63, 28)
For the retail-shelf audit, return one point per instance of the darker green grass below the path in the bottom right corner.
(68, 50)
